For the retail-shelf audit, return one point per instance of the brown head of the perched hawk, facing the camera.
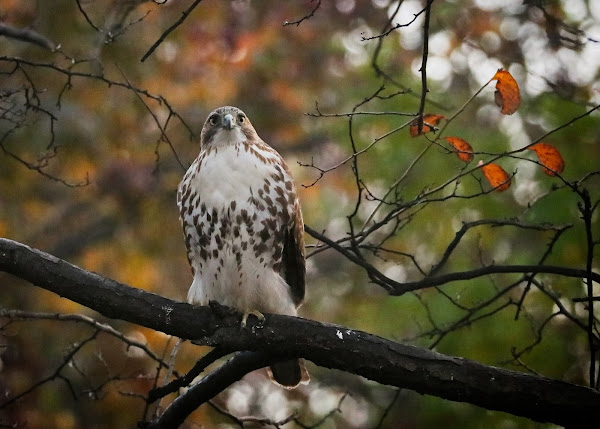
(226, 125)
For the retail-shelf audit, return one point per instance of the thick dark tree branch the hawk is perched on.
(330, 346)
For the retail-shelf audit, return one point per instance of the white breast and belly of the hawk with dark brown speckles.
(236, 202)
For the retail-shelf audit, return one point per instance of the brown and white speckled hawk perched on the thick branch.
(243, 227)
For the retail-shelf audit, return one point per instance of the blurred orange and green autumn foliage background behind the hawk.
(93, 143)
